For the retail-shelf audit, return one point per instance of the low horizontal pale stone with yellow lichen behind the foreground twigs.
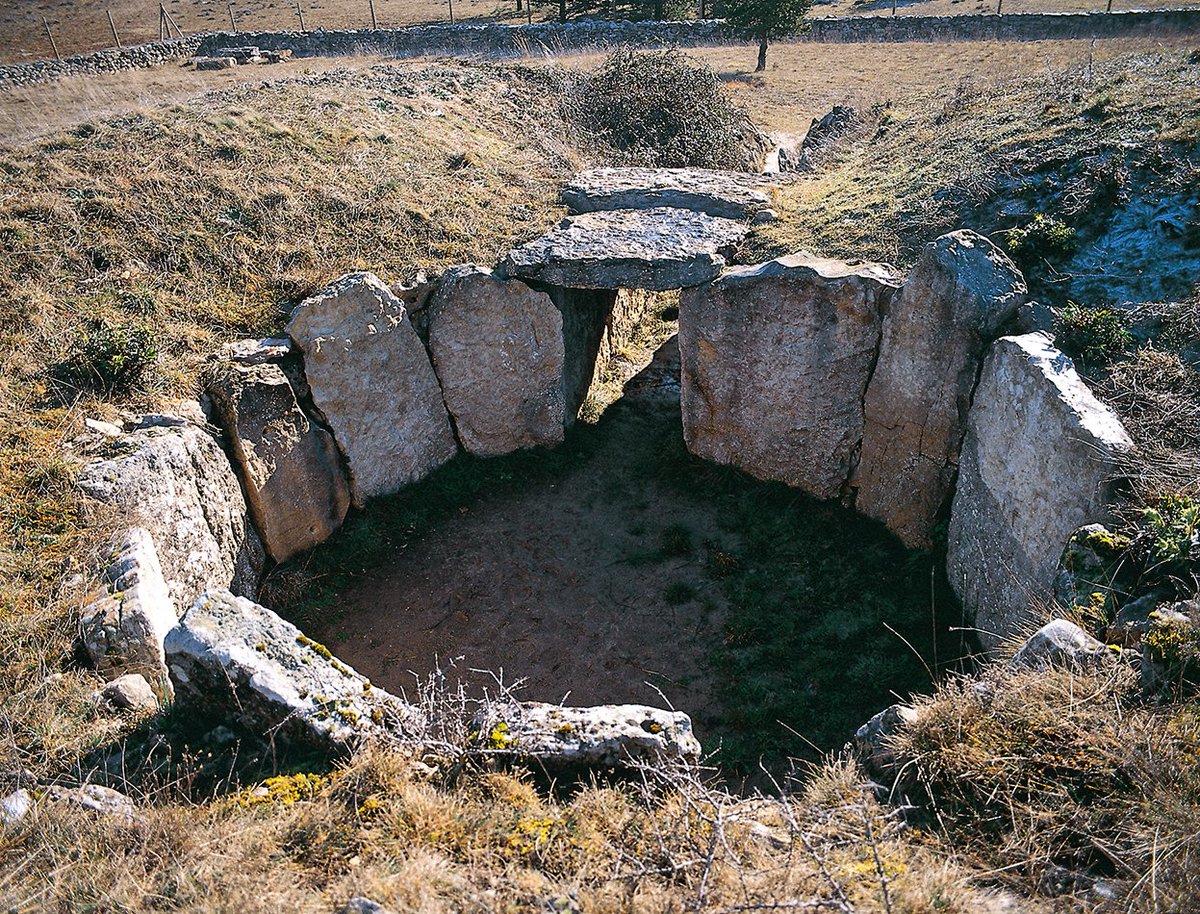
(605, 736)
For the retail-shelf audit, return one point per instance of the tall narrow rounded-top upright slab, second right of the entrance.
(955, 303)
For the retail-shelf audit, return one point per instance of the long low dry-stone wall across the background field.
(499, 40)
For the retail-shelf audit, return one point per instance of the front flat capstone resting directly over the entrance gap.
(661, 249)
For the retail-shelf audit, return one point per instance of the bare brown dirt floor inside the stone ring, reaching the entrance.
(586, 591)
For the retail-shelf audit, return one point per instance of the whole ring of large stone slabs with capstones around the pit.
(848, 381)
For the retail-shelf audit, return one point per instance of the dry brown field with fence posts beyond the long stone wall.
(82, 26)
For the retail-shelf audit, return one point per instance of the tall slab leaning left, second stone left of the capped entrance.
(374, 384)
